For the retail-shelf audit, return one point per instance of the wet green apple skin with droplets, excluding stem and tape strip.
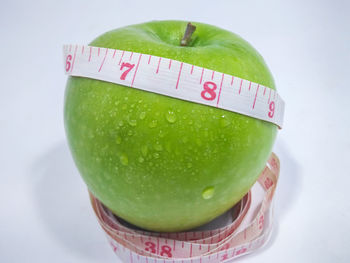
(161, 163)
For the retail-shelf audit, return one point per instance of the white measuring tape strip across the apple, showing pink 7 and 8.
(175, 79)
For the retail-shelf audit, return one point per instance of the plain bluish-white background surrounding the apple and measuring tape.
(45, 214)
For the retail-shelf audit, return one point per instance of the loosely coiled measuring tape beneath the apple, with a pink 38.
(249, 230)
